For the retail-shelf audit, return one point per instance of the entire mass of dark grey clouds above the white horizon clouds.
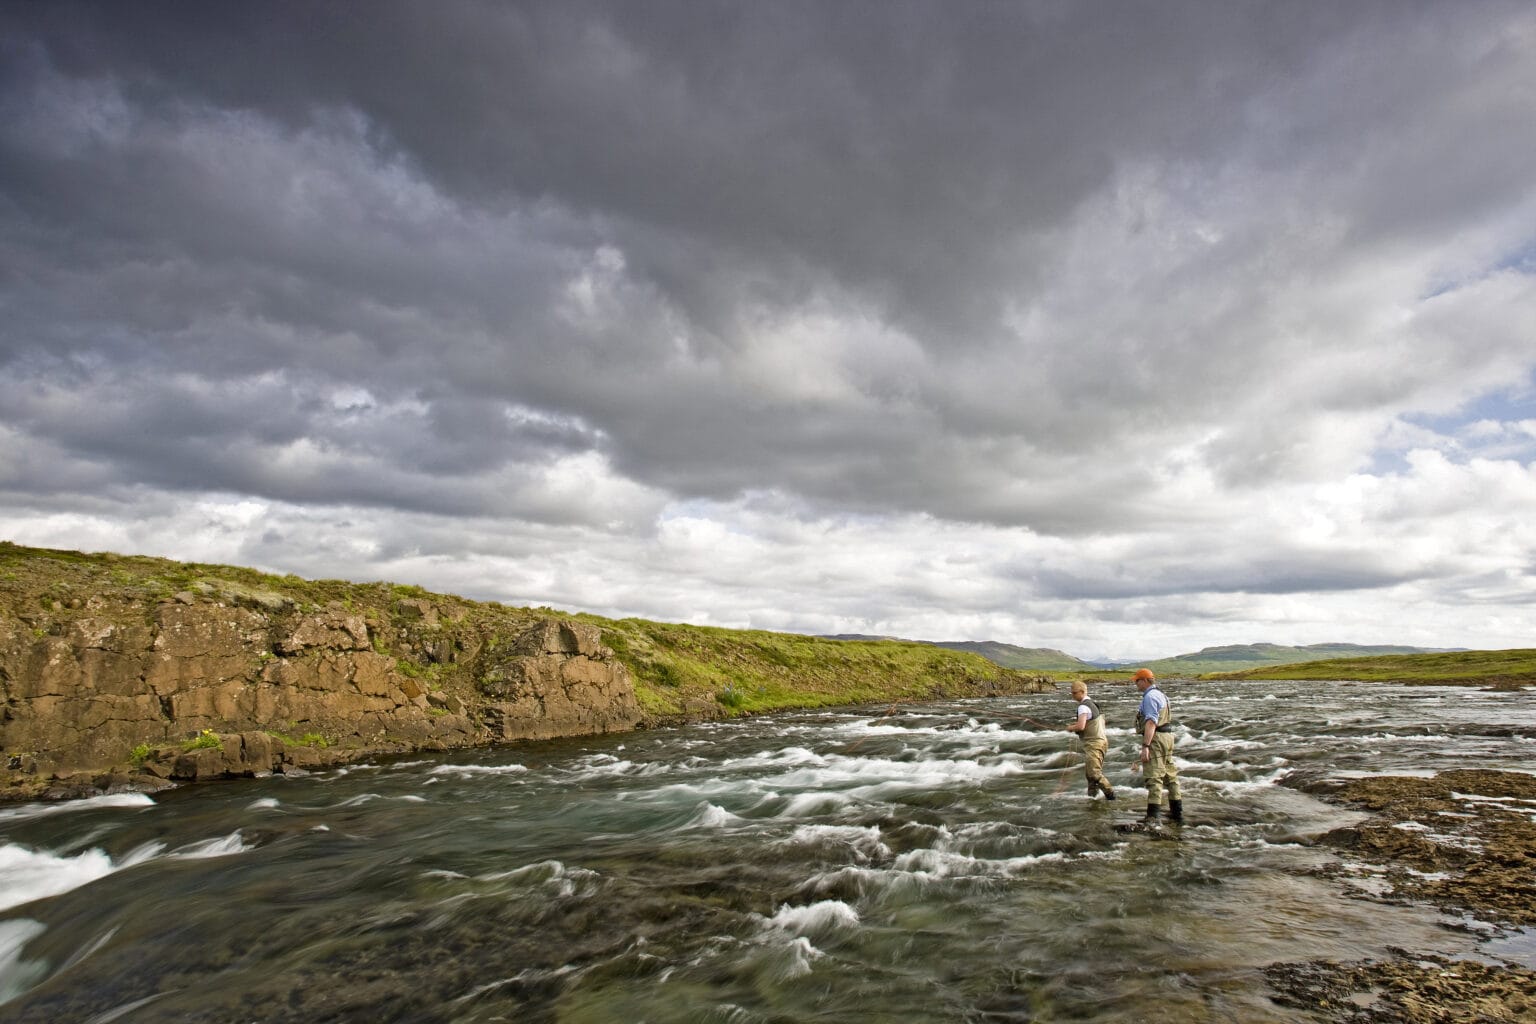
(996, 263)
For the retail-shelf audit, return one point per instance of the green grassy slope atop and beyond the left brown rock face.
(681, 672)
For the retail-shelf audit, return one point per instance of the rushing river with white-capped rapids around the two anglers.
(927, 864)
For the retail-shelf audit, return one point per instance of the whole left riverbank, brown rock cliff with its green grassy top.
(133, 673)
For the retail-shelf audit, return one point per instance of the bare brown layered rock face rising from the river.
(210, 689)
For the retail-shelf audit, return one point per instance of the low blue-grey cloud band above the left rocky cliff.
(279, 438)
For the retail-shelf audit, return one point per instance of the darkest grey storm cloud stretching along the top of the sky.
(910, 153)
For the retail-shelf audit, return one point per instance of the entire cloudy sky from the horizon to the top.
(1116, 328)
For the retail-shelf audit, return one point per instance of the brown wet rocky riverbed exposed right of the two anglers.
(1463, 842)
